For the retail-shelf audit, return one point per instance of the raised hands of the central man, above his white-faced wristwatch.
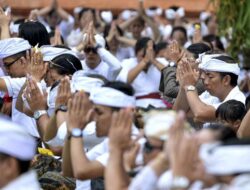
(79, 111)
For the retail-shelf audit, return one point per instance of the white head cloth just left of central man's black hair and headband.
(82, 82)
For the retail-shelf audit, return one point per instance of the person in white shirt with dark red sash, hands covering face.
(144, 72)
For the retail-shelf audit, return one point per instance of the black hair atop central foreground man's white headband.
(121, 86)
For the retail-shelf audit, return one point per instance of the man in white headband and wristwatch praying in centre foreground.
(108, 99)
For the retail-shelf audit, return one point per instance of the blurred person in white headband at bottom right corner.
(228, 162)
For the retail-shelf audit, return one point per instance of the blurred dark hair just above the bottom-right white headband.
(223, 133)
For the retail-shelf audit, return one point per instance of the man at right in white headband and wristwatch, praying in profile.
(219, 75)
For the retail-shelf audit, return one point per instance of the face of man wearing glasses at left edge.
(14, 67)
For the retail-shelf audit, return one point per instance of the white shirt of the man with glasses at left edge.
(14, 85)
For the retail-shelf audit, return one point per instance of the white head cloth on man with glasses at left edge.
(12, 46)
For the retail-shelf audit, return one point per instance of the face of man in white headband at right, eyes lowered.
(212, 82)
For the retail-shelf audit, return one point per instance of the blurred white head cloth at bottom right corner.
(225, 160)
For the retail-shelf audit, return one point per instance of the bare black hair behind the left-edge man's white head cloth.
(35, 33)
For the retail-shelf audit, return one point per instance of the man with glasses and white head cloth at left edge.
(13, 54)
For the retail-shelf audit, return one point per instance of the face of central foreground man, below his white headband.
(102, 117)
